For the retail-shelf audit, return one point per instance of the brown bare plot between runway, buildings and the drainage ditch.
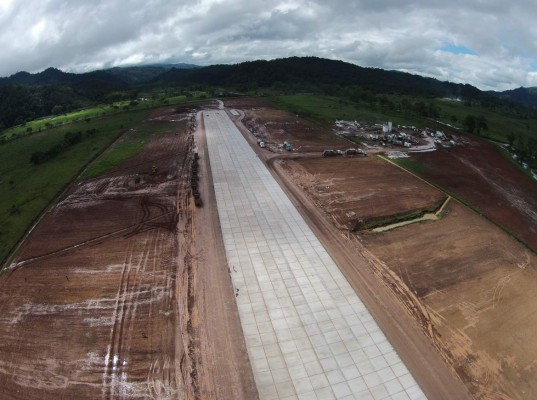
(357, 191)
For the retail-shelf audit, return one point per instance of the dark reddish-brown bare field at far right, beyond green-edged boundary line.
(478, 174)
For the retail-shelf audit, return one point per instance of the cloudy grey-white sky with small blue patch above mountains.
(488, 43)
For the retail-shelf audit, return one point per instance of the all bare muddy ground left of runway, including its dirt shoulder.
(111, 297)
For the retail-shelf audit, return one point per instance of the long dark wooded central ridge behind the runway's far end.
(304, 71)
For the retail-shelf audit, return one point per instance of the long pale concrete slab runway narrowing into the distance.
(308, 334)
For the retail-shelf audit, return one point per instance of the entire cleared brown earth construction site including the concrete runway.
(211, 267)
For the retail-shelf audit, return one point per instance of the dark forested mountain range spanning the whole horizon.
(25, 96)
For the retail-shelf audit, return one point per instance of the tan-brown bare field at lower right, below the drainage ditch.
(477, 288)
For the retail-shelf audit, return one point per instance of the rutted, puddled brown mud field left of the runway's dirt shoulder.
(109, 329)
